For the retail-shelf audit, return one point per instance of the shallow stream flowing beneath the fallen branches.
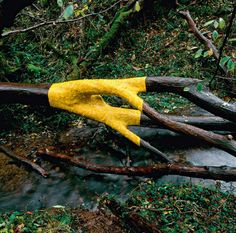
(70, 186)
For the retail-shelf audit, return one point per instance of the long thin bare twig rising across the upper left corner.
(55, 22)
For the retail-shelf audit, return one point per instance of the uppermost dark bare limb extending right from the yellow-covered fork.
(188, 88)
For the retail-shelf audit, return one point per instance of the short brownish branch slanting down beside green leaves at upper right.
(208, 43)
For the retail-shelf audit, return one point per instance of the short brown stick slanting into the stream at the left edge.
(25, 161)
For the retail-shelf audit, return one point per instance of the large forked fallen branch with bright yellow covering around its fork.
(21, 93)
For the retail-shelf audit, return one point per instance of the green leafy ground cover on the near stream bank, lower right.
(182, 208)
